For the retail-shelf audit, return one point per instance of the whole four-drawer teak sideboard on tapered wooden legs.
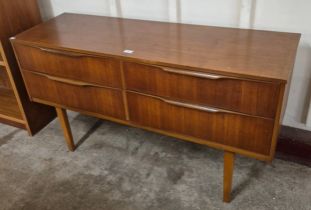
(220, 87)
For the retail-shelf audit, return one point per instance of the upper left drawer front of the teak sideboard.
(104, 71)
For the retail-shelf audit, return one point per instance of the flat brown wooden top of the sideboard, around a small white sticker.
(237, 52)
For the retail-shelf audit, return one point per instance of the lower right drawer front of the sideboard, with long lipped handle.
(240, 131)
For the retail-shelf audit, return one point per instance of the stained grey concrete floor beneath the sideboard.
(122, 168)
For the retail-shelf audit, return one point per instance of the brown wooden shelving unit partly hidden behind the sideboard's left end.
(15, 106)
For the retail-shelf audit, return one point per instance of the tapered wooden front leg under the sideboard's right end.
(228, 172)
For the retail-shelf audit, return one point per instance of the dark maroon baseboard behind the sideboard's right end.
(294, 145)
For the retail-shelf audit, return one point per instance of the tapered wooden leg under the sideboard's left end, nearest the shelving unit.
(63, 119)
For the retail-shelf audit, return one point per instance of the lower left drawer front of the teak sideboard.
(77, 95)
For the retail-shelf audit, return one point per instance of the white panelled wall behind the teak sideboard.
(280, 15)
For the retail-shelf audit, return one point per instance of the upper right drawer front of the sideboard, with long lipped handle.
(249, 97)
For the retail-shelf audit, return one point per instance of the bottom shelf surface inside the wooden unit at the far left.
(8, 106)
